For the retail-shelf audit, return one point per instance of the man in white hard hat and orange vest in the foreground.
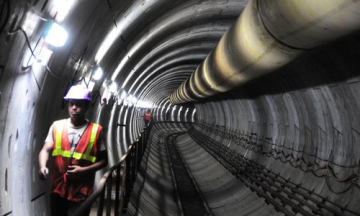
(78, 151)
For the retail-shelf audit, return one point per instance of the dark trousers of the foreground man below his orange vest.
(63, 207)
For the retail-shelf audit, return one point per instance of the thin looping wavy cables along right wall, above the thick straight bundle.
(284, 154)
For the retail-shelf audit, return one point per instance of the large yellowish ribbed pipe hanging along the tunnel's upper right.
(268, 35)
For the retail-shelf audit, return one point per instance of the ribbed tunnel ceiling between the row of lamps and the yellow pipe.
(147, 47)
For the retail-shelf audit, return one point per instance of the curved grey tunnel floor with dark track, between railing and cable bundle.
(178, 177)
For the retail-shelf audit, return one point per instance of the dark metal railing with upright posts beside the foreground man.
(122, 177)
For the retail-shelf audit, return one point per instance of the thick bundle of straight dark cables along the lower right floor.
(284, 195)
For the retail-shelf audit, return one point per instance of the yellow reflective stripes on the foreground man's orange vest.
(76, 155)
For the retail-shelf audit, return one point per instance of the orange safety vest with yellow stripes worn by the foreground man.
(75, 190)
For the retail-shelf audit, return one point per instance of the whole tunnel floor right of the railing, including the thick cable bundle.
(188, 170)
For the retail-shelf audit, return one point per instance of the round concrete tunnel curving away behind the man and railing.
(254, 103)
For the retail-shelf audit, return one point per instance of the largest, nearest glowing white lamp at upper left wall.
(55, 35)
